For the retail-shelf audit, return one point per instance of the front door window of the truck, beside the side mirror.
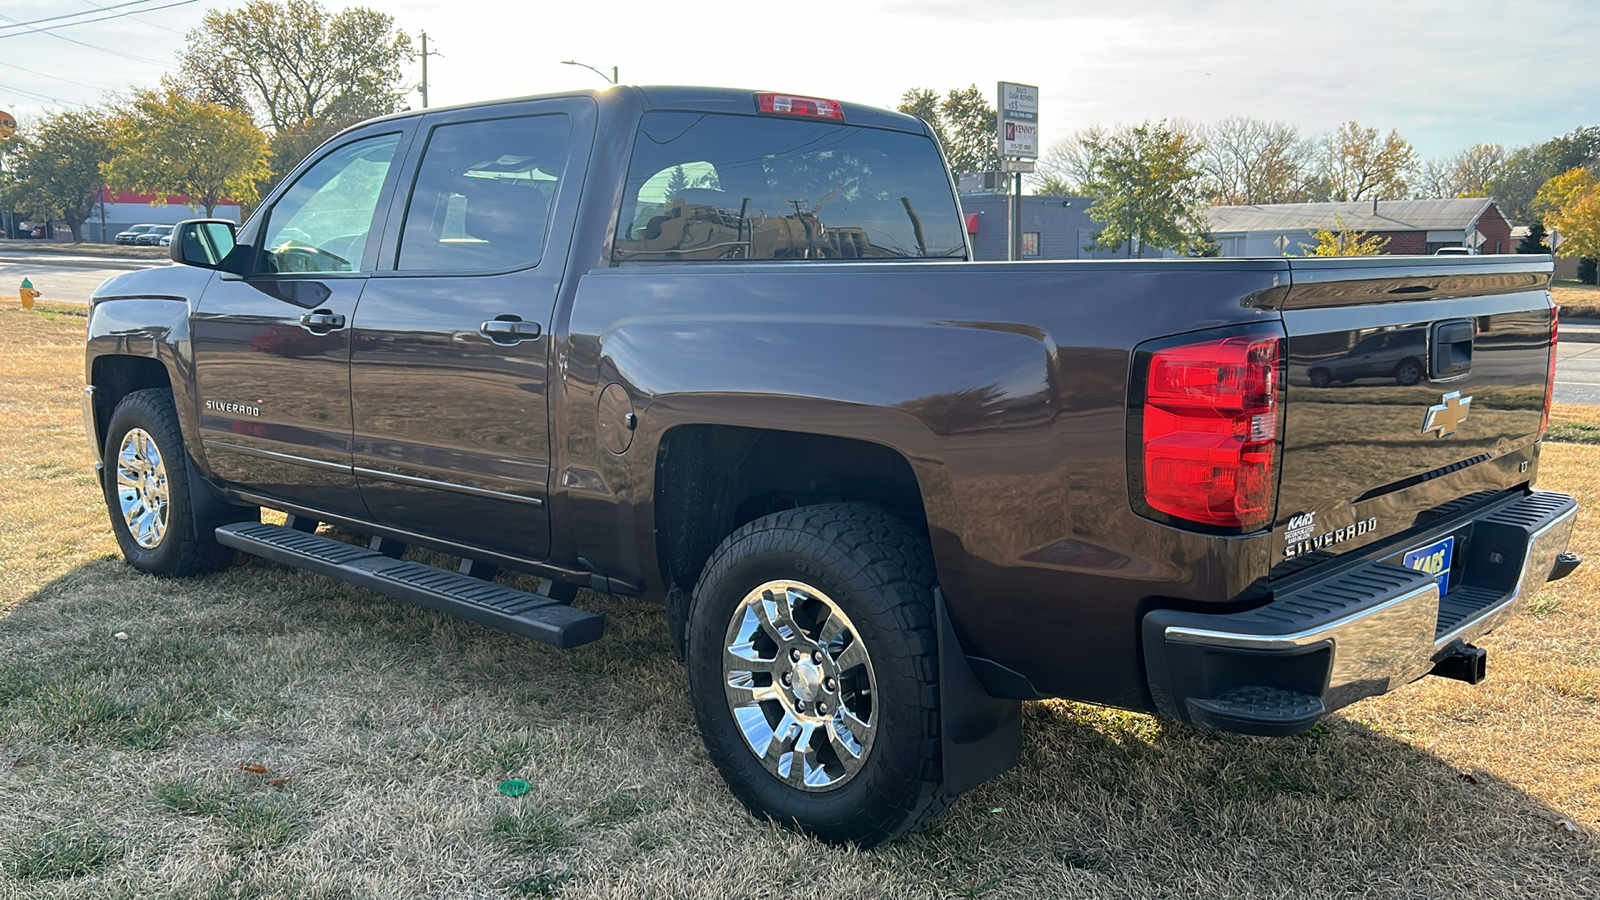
(324, 220)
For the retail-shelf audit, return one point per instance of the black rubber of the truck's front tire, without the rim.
(186, 547)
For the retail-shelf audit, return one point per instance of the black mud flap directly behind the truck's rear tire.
(982, 736)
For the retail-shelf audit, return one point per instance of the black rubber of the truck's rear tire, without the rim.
(879, 573)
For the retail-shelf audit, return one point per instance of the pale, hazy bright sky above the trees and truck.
(1446, 74)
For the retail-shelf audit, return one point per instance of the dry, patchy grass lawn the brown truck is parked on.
(265, 733)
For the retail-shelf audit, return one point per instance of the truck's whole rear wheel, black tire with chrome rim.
(814, 672)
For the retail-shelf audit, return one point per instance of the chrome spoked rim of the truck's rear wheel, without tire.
(801, 685)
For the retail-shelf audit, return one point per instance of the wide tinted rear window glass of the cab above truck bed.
(710, 187)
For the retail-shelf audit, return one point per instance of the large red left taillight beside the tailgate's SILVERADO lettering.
(1210, 420)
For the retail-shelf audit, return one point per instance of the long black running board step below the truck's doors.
(532, 616)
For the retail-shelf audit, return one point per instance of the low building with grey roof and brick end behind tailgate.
(1412, 227)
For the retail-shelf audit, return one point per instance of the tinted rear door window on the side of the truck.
(482, 196)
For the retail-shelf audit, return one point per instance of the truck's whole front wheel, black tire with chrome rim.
(146, 486)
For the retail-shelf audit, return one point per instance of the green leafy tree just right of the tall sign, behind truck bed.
(1146, 188)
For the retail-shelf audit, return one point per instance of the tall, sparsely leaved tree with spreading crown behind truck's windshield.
(298, 70)
